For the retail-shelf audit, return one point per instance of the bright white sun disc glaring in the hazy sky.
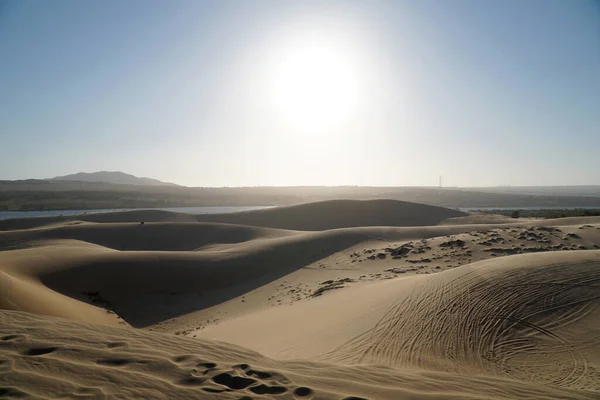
(314, 85)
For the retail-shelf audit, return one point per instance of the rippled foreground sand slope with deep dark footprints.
(55, 358)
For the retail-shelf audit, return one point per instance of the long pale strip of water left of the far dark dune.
(188, 210)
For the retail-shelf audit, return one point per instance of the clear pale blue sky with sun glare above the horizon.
(285, 93)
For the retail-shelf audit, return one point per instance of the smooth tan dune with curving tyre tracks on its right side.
(531, 316)
